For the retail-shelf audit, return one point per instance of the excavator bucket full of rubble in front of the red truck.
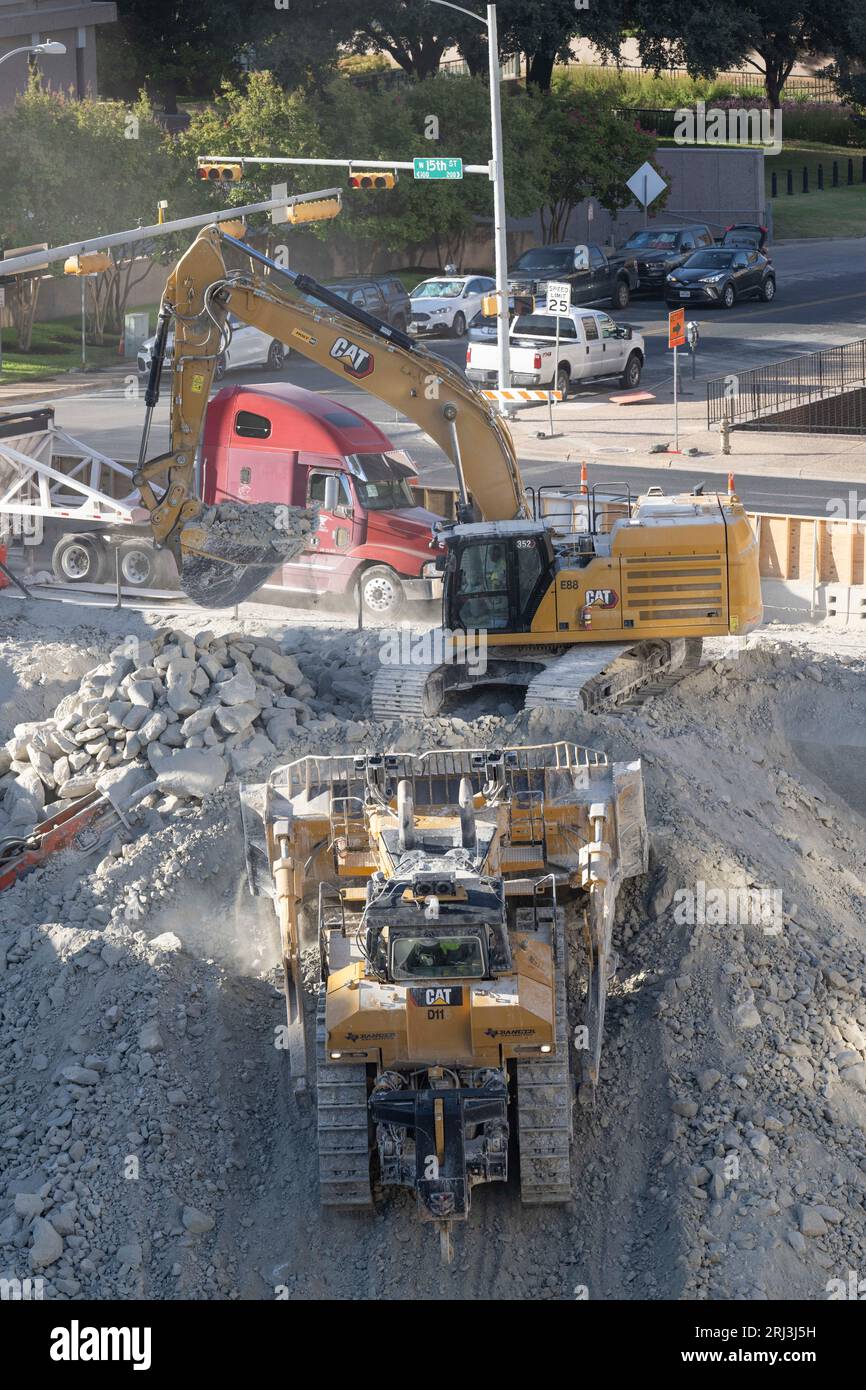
(231, 550)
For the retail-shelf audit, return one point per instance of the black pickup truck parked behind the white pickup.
(594, 277)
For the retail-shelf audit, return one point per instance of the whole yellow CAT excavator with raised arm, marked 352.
(587, 598)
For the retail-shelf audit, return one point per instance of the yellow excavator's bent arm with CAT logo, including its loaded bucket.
(226, 558)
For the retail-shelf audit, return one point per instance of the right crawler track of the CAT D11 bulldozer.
(546, 1103)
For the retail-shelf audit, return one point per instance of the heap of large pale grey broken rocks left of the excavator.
(179, 714)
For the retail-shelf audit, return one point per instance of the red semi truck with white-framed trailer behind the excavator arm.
(261, 444)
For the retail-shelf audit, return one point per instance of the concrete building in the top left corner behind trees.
(67, 22)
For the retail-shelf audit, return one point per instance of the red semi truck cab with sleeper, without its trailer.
(284, 444)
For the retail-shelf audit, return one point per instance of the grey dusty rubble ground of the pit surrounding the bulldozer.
(724, 1154)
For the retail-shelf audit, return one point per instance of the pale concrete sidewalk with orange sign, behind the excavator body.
(626, 436)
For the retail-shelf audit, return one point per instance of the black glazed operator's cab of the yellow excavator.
(497, 576)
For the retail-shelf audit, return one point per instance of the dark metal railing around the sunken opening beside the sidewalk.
(821, 393)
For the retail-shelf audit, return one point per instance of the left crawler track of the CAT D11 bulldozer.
(344, 1125)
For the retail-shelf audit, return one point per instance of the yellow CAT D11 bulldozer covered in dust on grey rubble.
(450, 892)
